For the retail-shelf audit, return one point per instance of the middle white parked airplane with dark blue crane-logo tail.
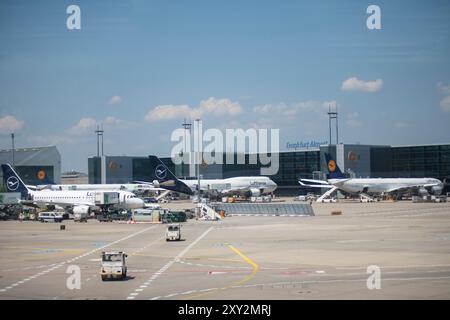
(245, 186)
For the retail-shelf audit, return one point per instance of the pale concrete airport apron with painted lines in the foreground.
(380, 250)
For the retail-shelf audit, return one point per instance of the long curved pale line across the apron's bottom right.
(363, 280)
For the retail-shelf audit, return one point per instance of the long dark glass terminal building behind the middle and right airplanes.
(355, 160)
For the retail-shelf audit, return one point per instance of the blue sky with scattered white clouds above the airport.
(140, 67)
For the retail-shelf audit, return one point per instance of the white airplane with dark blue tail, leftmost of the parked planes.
(75, 201)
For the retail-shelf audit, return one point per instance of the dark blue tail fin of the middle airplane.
(162, 176)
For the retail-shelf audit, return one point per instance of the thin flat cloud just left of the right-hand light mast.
(294, 109)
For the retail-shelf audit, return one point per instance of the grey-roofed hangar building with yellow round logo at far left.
(41, 165)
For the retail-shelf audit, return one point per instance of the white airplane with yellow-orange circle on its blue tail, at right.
(379, 186)
